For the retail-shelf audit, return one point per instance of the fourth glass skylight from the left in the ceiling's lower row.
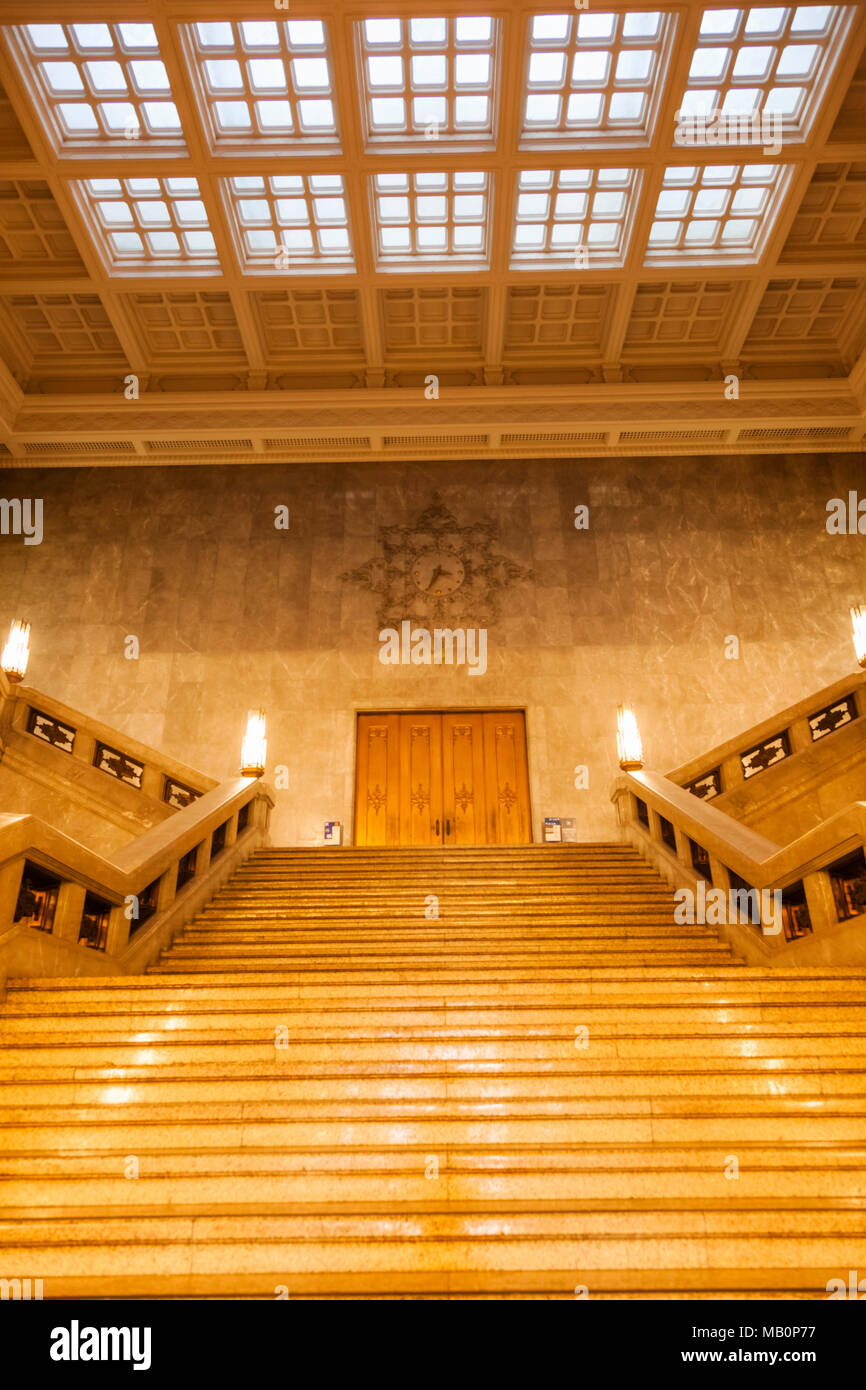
(573, 218)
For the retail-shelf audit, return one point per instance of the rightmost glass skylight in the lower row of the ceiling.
(721, 212)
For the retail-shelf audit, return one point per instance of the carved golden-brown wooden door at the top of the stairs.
(443, 779)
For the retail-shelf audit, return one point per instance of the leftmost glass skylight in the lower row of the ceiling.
(147, 223)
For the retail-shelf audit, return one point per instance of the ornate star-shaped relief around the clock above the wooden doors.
(439, 572)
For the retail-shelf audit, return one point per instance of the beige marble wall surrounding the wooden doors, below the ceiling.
(230, 612)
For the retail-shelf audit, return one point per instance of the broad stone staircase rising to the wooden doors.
(326, 1090)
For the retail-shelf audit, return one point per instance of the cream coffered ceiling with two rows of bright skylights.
(262, 230)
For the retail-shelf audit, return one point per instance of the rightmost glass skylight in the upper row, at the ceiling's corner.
(774, 62)
